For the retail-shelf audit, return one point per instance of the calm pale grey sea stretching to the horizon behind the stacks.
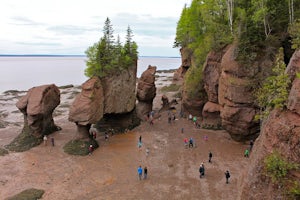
(25, 72)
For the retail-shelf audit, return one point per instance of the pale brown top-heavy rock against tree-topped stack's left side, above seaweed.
(88, 106)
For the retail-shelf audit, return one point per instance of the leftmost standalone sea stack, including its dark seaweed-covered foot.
(37, 107)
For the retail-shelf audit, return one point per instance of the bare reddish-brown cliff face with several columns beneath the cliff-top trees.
(229, 87)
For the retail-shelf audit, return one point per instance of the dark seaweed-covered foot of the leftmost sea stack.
(24, 141)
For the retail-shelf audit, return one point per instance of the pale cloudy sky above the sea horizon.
(69, 27)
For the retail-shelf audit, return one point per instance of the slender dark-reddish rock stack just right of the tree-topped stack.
(146, 92)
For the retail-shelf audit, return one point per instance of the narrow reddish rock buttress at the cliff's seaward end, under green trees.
(186, 56)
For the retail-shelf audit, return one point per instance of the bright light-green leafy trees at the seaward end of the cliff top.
(203, 27)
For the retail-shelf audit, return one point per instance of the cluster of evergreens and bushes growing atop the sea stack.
(108, 56)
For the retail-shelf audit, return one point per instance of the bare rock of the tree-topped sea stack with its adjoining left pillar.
(108, 102)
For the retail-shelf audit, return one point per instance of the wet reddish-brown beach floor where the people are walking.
(111, 171)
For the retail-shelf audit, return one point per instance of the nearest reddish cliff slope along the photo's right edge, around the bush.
(281, 133)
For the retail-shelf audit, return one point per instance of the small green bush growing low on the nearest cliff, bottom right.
(276, 167)
